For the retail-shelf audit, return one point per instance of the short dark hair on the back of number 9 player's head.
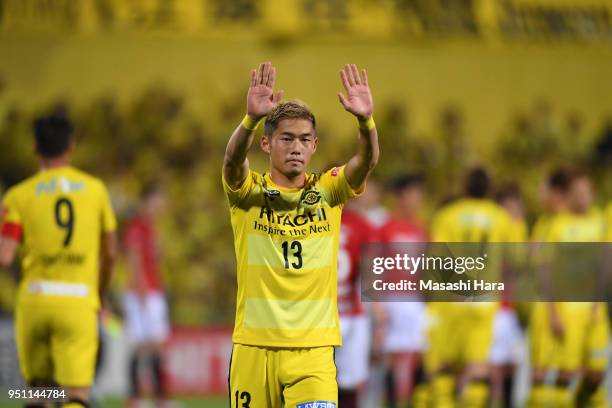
(53, 135)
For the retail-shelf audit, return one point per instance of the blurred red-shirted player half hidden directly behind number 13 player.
(353, 358)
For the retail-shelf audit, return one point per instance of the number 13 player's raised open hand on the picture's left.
(261, 98)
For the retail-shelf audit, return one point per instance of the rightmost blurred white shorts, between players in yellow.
(507, 336)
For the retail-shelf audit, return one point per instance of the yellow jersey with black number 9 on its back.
(58, 215)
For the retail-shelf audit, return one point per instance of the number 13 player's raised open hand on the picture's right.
(358, 99)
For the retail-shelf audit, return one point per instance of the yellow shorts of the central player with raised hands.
(279, 377)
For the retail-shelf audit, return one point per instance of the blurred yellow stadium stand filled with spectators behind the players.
(156, 87)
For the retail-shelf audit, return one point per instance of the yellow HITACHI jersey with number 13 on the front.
(286, 243)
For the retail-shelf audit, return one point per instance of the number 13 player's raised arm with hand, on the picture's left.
(261, 99)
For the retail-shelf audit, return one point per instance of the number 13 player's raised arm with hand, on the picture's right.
(359, 102)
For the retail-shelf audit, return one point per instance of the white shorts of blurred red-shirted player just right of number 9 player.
(146, 318)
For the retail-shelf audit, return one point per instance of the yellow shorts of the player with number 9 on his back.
(57, 342)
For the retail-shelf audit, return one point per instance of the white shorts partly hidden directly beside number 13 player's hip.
(353, 358)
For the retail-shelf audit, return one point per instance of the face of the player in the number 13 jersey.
(291, 146)
